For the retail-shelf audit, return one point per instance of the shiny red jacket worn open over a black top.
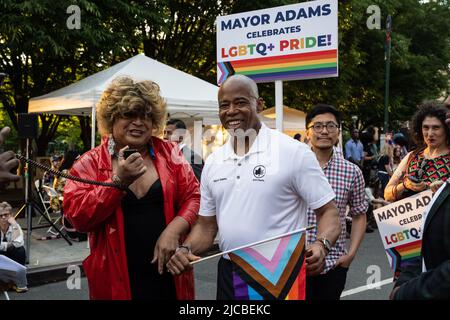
(97, 210)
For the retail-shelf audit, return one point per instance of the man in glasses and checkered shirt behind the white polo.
(323, 128)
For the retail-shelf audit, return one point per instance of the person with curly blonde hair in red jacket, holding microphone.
(133, 230)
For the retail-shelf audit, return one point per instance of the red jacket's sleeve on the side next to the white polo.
(188, 191)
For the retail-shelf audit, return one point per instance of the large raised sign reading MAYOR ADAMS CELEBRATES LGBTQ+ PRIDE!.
(292, 42)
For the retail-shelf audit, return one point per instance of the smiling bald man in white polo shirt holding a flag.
(258, 185)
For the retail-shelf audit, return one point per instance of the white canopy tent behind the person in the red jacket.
(186, 95)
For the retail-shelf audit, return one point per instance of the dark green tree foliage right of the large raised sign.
(420, 59)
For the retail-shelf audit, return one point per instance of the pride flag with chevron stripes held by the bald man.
(271, 270)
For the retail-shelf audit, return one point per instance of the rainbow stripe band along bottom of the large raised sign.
(299, 66)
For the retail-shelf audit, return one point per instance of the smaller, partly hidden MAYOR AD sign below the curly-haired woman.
(400, 227)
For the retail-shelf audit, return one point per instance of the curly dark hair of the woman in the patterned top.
(428, 109)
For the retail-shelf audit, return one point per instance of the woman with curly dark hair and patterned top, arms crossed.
(427, 167)
